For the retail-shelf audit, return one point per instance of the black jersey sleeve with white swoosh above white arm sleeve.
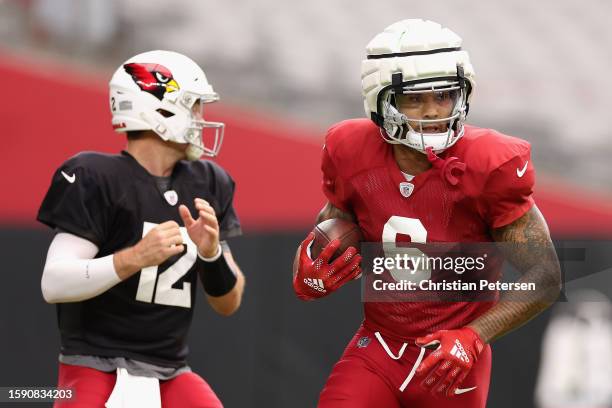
(75, 202)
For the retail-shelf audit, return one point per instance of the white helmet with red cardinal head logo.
(165, 91)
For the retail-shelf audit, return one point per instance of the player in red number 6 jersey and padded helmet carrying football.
(414, 168)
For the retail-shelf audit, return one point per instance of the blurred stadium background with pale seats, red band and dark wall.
(285, 72)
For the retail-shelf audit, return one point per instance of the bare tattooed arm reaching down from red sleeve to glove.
(531, 251)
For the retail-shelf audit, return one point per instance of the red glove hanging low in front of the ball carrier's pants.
(455, 353)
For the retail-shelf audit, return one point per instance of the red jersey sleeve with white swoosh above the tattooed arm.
(508, 192)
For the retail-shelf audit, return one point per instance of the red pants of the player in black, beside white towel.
(92, 388)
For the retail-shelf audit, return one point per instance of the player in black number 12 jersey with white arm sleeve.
(134, 232)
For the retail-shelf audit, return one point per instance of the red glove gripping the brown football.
(318, 278)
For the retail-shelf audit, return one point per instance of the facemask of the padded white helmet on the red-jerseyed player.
(439, 132)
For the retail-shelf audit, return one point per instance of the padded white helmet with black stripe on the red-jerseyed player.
(414, 57)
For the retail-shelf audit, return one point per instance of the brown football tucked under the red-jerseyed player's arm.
(335, 228)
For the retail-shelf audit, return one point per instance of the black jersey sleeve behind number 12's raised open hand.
(229, 224)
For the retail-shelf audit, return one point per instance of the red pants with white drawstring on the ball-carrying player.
(368, 377)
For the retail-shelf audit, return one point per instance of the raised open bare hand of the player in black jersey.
(203, 231)
